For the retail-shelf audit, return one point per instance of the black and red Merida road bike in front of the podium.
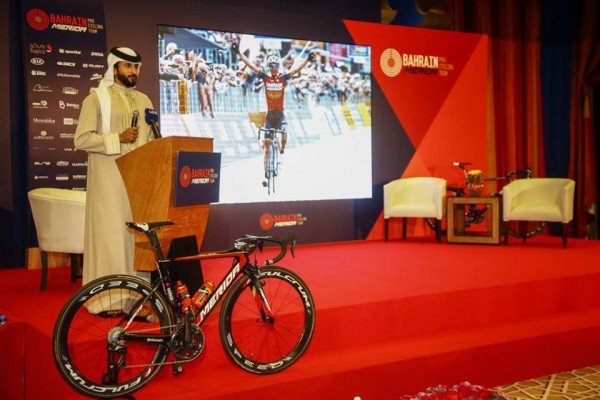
(115, 333)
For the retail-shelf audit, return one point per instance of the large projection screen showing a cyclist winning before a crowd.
(209, 90)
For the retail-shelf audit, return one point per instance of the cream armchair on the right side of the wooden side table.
(539, 199)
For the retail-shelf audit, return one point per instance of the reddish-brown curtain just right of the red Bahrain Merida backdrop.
(515, 108)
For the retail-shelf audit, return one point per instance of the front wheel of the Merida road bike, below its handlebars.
(261, 342)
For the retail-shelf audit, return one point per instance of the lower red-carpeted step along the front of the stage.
(505, 351)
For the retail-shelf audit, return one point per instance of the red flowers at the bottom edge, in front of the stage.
(462, 391)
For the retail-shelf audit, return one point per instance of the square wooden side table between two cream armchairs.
(486, 232)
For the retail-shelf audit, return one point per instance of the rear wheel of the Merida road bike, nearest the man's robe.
(99, 349)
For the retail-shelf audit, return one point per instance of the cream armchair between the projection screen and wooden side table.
(419, 197)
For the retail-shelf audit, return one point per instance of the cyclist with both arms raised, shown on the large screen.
(274, 85)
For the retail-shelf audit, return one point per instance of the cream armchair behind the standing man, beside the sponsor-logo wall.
(59, 217)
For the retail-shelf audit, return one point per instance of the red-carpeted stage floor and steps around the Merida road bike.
(393, 318)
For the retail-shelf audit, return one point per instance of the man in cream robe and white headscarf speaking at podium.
(105, 131)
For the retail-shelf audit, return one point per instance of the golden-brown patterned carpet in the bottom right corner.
(579, 384)
